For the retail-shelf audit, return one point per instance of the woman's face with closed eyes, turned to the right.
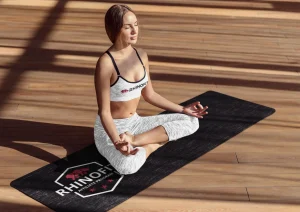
(130, 29)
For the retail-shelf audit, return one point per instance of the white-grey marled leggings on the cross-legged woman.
(177, 125)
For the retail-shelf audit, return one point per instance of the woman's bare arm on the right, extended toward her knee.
(154, 98)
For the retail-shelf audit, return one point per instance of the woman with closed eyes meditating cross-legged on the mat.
(122, 75)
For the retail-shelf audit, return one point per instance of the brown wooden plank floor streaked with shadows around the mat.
(249, 50)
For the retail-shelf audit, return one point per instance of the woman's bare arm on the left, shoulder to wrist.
(103, 72)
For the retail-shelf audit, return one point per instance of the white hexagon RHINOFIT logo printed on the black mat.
(88, 180)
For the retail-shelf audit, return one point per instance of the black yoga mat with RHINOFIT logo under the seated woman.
(85, 182)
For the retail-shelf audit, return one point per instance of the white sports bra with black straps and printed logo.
(124, 90)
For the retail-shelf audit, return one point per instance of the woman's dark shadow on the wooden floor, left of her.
(15, 133)
